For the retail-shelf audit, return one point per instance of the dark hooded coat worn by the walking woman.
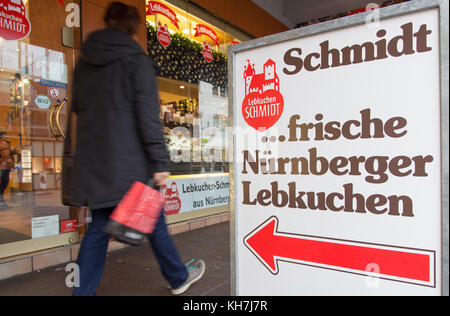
(119, 137)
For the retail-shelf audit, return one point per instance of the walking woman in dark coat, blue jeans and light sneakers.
(119, 140)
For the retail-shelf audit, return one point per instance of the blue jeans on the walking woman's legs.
(92, 255)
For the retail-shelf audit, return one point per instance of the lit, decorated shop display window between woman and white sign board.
(191, 55)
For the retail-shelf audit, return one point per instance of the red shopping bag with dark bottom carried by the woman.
(136, 216)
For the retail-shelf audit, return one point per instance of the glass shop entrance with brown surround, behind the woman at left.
(36, 69)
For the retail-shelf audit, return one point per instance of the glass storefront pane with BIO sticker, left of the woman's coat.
(35, 68)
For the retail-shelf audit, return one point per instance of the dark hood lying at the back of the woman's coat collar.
(107, 46)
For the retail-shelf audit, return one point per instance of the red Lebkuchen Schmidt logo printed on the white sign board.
(263, 103)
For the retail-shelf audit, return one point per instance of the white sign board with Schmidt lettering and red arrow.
(338, 162)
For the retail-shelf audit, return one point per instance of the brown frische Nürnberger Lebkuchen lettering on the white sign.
(374, 169)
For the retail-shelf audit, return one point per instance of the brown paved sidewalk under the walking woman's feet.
(135, 272)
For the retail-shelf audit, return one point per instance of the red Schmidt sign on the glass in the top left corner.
(14, 24)
